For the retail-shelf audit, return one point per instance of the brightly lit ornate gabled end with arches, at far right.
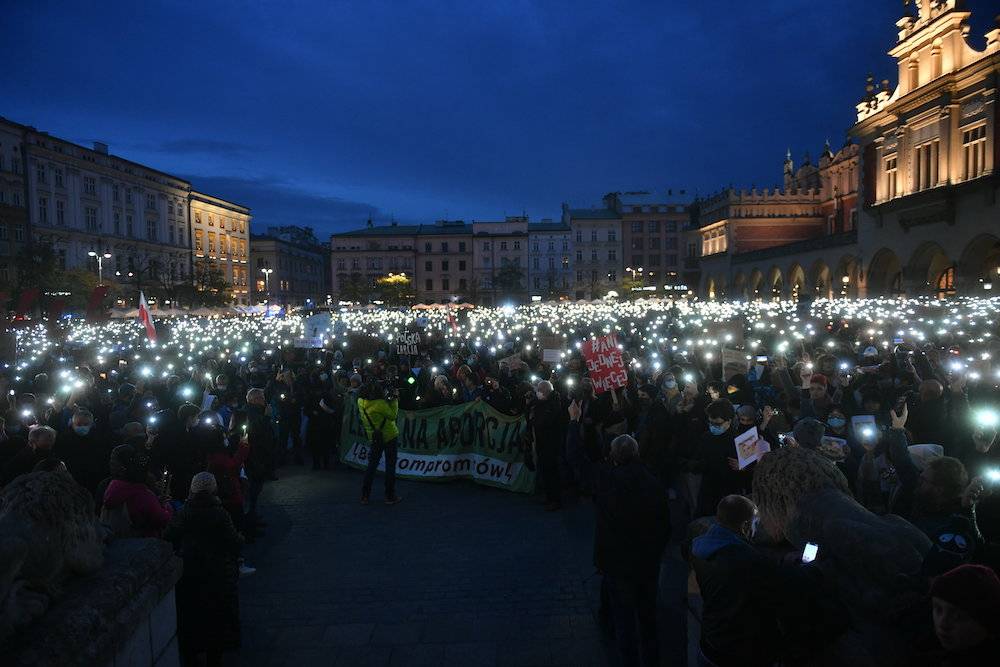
(931, 222)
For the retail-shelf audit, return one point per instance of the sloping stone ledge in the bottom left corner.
(122, 616)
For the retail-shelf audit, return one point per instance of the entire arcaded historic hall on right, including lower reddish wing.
(909, 206)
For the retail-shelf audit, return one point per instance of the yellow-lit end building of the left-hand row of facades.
(220, 236)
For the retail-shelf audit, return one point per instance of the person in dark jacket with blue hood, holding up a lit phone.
(741, 590)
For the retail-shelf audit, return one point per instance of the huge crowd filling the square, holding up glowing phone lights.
(900, 397)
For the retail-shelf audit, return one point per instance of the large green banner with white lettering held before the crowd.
(468, 441)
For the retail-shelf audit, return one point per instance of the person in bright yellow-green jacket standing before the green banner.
(378, 416)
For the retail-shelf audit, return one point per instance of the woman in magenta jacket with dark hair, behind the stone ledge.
(148, 512)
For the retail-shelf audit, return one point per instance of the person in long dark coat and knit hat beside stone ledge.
(208, 607)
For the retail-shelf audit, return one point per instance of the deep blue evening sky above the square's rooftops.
(318, 112)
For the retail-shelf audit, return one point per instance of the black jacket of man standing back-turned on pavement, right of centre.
(633, 521)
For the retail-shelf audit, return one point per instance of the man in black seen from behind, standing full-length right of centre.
(633, 527)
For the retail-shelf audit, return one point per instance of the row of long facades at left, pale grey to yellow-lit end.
(88, 203)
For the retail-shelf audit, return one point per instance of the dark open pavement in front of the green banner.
(457, 574)
